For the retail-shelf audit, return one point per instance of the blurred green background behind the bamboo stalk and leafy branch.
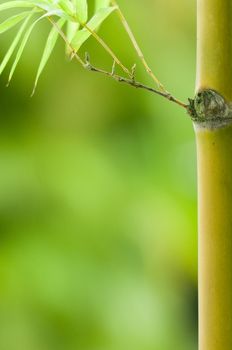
(98, 234)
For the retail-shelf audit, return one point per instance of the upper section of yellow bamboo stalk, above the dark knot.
(214, 48)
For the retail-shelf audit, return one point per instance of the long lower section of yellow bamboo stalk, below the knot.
(215, 237)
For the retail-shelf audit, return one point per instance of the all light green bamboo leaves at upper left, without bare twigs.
(71, 13)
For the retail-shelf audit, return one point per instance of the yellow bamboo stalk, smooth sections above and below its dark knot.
(214, 151)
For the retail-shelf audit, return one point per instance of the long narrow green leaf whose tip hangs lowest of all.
(50, 44)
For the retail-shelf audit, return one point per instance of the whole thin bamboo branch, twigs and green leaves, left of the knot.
(70, 20)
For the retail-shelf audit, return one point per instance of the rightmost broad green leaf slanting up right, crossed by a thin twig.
(82, 35)
